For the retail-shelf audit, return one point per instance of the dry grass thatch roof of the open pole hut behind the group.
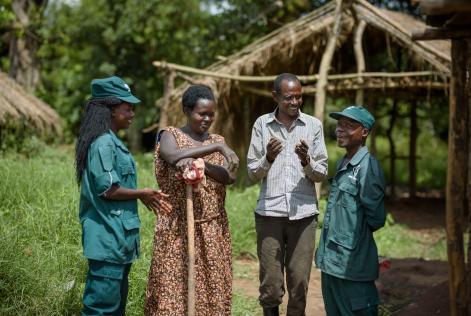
(297, 47)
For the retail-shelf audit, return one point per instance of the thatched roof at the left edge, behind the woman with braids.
(17, 104)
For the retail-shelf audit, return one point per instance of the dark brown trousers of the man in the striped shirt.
(284, 245)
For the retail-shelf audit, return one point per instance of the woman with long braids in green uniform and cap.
(106, 173)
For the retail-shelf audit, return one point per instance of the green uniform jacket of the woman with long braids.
(110, 228)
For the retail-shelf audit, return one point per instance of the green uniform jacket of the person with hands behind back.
(355, 209)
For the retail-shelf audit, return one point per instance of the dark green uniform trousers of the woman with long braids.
(106, 288)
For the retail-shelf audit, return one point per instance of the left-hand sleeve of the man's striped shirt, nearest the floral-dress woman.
(257, 163)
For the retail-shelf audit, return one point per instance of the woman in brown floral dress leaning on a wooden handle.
(167, 287)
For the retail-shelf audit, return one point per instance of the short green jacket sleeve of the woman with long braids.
(101, 167)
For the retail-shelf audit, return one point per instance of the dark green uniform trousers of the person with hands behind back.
(348, 298)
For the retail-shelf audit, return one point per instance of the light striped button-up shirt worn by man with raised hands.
(287, 188)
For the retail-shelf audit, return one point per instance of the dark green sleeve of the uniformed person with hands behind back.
(372, 195)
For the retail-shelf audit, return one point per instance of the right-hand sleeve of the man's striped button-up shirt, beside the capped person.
(316, 170)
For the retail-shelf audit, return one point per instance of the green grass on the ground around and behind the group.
(42, 270)
